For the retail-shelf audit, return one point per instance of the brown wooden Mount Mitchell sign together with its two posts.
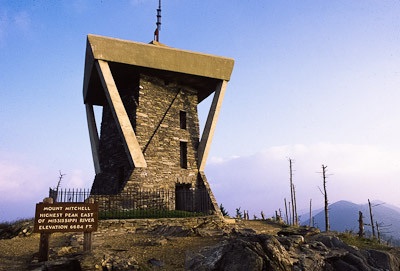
(65, 217)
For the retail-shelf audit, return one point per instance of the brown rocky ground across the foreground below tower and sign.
(205, 245)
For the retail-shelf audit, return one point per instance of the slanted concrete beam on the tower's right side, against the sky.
(211, 123)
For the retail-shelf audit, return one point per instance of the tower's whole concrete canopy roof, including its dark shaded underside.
(199, 71)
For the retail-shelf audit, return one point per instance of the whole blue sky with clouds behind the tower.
(316, 81)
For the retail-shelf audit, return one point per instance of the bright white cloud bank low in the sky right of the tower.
(261, 181)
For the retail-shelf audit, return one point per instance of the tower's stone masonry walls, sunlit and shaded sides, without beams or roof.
(153, 107)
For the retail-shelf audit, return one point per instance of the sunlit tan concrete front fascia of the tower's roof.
(160, 57)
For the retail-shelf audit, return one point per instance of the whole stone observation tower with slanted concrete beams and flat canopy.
(149, 135)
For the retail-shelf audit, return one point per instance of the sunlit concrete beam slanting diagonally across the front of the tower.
(132, 148)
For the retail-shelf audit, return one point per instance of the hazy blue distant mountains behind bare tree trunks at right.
(343, 215)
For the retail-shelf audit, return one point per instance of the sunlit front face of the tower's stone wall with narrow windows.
(159, 134)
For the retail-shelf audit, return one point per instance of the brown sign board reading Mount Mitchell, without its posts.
(66, 217)
